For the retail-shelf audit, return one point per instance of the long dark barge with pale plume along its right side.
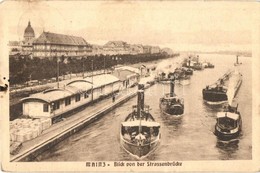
(217, 92)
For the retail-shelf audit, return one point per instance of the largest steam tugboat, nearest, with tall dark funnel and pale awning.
(140, 133)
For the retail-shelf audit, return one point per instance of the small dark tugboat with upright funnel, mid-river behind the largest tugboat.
(171, 105)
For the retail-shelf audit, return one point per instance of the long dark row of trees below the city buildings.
(25, 68)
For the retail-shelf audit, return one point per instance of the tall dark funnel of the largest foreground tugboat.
(140, 104)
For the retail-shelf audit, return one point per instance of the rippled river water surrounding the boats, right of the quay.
(189, 138)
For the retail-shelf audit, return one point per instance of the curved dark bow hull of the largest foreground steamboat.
(139, 151)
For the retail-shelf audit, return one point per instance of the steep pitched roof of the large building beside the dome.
(53, 38)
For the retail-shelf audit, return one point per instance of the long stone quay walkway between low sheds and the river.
(61, 130)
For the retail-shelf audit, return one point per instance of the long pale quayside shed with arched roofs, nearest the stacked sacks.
(54, 102)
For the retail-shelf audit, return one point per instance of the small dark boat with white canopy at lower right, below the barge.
(229, 124)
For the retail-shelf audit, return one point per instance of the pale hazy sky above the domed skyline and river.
(179, 25)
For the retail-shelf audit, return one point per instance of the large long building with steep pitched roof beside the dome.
(49, 45)
